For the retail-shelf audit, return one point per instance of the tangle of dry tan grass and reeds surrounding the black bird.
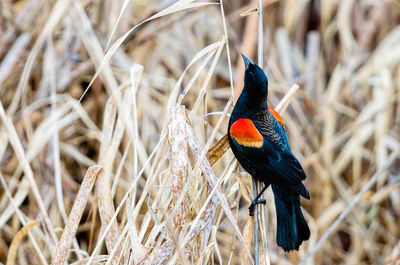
(110, 111)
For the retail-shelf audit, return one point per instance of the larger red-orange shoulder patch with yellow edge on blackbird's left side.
(245, 133)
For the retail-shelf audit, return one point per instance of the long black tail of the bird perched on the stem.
(292, 228)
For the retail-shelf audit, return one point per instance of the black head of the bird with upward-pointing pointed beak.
(255, 80)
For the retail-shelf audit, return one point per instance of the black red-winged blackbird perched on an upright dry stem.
(257, 137)
